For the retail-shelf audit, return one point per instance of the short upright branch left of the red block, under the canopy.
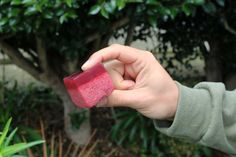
(42, 54)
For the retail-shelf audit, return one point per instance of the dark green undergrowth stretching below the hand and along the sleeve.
(137, 132)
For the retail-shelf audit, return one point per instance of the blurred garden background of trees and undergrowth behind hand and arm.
(42, 41)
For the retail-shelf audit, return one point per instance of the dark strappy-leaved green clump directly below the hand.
(133, 128)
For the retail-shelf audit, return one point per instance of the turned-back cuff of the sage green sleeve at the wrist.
(192, 116)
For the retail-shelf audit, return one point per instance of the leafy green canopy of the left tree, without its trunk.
(66, 26)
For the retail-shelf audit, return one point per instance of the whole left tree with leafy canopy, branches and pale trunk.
(52, 38)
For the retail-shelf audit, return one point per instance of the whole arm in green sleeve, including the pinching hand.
(205, 114)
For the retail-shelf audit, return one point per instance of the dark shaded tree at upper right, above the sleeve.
(208, 32)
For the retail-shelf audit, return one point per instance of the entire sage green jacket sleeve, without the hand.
(205, 114)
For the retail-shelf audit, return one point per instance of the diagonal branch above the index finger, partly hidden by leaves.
(115, 25)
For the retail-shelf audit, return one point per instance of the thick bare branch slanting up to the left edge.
(19, 59)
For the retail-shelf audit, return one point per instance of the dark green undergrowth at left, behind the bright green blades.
(22, 103)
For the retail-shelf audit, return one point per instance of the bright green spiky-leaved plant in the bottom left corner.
(10, 150)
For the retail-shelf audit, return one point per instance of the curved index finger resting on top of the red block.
(125, 54)
